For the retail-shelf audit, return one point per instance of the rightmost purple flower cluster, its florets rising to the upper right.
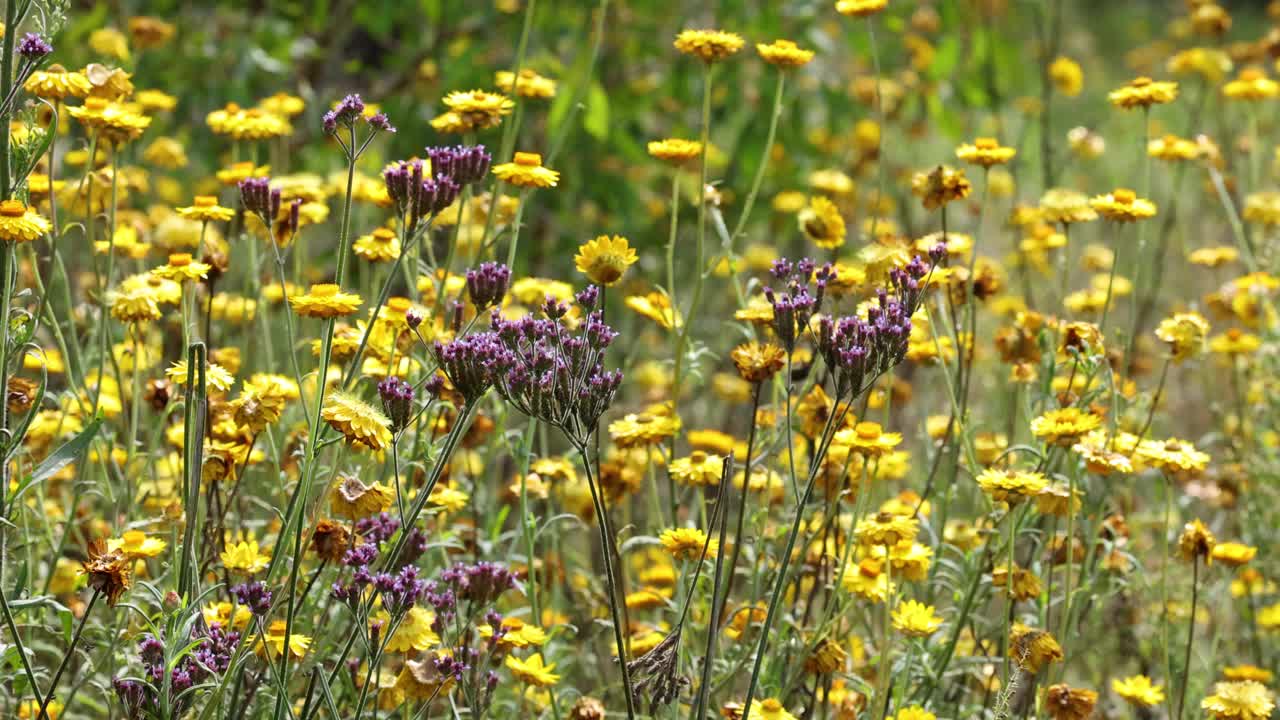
(858, 352)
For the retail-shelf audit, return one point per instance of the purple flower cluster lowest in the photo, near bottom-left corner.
(212, 657)
